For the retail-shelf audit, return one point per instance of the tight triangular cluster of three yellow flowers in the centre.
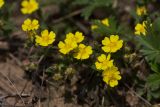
(73, 42)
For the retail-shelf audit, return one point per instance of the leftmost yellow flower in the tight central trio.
(67, 46)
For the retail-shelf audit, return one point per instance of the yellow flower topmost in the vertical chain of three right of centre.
(112, 44)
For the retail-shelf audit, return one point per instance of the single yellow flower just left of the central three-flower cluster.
(46, 38)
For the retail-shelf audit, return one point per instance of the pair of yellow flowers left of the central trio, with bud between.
(46, 38)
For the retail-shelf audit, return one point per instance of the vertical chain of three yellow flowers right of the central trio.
(110, 73)
